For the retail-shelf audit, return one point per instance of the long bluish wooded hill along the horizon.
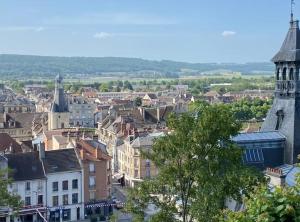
(48, 66)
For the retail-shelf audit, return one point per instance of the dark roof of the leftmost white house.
(25, 166)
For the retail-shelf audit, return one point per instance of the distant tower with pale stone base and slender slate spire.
(58, 117)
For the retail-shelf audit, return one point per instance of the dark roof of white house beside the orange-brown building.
(63, 160)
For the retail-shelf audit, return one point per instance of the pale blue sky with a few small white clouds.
(182, 30)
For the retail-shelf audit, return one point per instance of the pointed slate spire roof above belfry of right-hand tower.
(290, 50)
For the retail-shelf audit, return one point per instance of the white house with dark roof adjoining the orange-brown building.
(64, 184)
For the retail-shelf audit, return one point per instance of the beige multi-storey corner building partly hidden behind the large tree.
(130, 161)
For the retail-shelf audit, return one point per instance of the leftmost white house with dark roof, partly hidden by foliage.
(29, 182)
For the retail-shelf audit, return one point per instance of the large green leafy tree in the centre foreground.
(199, 167)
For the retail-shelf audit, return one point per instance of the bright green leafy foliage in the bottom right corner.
(265, 205)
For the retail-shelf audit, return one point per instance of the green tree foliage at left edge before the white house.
(7, 199)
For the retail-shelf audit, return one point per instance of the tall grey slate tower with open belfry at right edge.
(284, 115)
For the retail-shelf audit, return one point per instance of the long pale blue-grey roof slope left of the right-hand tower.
(259, 136)
